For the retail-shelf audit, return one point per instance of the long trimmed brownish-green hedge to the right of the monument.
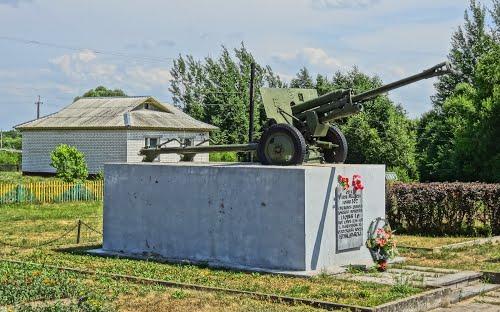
(469, 209)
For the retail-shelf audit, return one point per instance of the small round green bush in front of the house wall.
(69, 163)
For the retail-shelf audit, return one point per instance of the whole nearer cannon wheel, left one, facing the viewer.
(282, 145)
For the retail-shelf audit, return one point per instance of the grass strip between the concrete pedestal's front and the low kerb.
(323, 287)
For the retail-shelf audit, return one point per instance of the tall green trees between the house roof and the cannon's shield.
(216, 91)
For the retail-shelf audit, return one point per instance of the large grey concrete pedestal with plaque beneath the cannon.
(276, 219)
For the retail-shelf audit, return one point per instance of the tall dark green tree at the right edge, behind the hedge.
(452, 137)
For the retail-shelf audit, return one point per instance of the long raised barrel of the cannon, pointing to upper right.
(437, 70)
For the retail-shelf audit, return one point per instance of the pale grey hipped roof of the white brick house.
(118, 113)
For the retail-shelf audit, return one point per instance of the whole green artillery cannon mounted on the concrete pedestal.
(298, 127)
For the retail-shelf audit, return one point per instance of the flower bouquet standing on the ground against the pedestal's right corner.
(381, 243)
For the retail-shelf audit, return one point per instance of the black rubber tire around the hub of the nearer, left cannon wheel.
(299, 145)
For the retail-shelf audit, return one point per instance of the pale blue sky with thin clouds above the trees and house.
(385, 37)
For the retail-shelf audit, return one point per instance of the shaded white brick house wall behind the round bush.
(98, 146)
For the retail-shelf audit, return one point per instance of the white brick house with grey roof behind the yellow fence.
(109, 129)
